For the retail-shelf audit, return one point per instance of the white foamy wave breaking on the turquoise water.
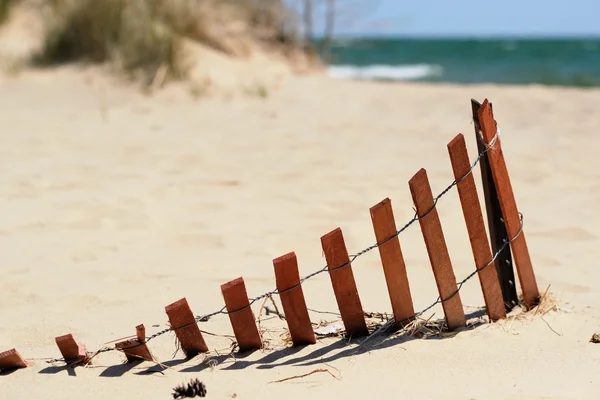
(385, 72)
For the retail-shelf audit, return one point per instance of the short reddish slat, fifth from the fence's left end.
(241, 315)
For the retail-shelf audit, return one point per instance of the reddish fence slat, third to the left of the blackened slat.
(392, 260)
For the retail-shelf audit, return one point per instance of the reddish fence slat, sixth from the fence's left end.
(290, 291)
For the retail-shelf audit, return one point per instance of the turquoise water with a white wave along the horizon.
(564, 62)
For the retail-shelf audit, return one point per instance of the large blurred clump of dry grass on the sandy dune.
(142, 37)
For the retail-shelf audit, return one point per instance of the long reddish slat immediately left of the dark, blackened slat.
(480, 245)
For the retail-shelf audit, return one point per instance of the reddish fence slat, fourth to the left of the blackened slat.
(344, 286)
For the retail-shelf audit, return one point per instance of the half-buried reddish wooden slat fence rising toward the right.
(497, 283)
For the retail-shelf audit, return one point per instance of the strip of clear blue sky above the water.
(469, 17)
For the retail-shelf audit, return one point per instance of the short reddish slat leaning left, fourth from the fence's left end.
(190, 338)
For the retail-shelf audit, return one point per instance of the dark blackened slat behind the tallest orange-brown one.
(504, 265)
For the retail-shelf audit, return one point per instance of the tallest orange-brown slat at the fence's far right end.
(509, 207)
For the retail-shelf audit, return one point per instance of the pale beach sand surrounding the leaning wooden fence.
(115, 204)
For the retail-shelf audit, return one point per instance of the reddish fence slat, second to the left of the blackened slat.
(437, 249)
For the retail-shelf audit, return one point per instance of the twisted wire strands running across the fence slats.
(415, 218)
